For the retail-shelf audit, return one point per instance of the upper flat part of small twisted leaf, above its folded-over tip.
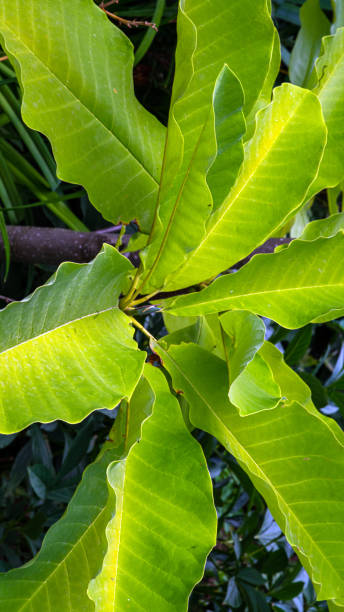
(244, 335)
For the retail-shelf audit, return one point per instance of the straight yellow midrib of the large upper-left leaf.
(74, 95)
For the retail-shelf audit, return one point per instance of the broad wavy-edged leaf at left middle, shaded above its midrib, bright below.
(67, 349)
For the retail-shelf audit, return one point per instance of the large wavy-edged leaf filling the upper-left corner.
(75, 68)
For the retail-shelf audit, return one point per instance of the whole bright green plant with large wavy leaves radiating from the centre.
(230, 172)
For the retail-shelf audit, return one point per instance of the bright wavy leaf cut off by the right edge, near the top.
(329, 73)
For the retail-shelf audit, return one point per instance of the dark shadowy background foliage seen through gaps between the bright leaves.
(252, 566)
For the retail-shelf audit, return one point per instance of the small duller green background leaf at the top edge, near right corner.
(314, 25)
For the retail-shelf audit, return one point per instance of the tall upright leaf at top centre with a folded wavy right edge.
(209, 137)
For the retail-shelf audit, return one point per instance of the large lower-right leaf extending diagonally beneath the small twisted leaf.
(293, 455)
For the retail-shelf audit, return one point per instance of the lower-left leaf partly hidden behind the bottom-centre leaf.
(73, 550)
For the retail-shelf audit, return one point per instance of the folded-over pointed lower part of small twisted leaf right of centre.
(255, 388)
